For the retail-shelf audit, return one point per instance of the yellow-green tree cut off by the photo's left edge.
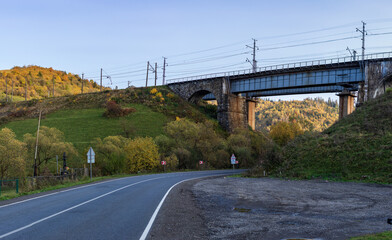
(12, 153)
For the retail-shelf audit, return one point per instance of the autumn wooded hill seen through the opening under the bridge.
(311, 114)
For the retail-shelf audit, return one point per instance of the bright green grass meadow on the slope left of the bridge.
(81, 126)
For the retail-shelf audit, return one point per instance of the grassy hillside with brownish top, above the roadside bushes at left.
(81, 118)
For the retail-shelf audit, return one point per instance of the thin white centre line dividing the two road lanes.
(68, 209)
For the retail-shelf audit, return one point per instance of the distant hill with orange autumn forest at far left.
(40, 83)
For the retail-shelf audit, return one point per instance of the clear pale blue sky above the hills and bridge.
(196, 37)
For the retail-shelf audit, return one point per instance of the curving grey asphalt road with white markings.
(117, 209)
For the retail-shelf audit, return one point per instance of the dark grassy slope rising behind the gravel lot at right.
(356, 148)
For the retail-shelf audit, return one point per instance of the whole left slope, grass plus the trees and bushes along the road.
(131, 131)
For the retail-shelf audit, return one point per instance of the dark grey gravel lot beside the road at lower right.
(245, 208)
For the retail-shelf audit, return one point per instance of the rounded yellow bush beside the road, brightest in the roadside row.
(142, 154)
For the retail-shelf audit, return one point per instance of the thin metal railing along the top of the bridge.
(322, 62)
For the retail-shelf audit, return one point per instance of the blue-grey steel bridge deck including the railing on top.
(331, 75)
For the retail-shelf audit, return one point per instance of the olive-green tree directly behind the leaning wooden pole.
(51, 142)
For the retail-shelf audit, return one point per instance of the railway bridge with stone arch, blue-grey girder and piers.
(236, 91)
